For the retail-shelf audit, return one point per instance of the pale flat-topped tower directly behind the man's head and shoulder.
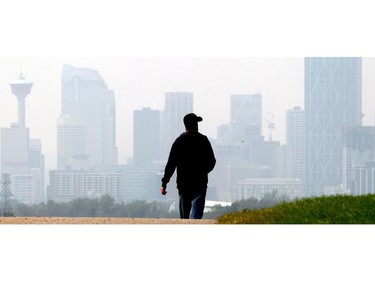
(177, 105)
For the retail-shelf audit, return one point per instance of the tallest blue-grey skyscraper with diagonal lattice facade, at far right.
(333, 93)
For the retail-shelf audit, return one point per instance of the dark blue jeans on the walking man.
(191, 203)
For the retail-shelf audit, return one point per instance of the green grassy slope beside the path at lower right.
(340, 209)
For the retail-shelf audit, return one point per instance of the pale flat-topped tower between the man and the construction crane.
(245, 117)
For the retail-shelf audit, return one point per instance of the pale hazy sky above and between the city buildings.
(143, 82)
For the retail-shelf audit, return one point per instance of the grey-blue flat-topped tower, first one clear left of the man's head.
(146, 136)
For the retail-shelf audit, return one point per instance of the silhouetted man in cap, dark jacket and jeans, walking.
(192, 155)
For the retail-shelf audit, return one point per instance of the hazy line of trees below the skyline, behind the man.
(105, 206)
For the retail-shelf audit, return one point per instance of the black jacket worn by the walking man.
(192, 155)
